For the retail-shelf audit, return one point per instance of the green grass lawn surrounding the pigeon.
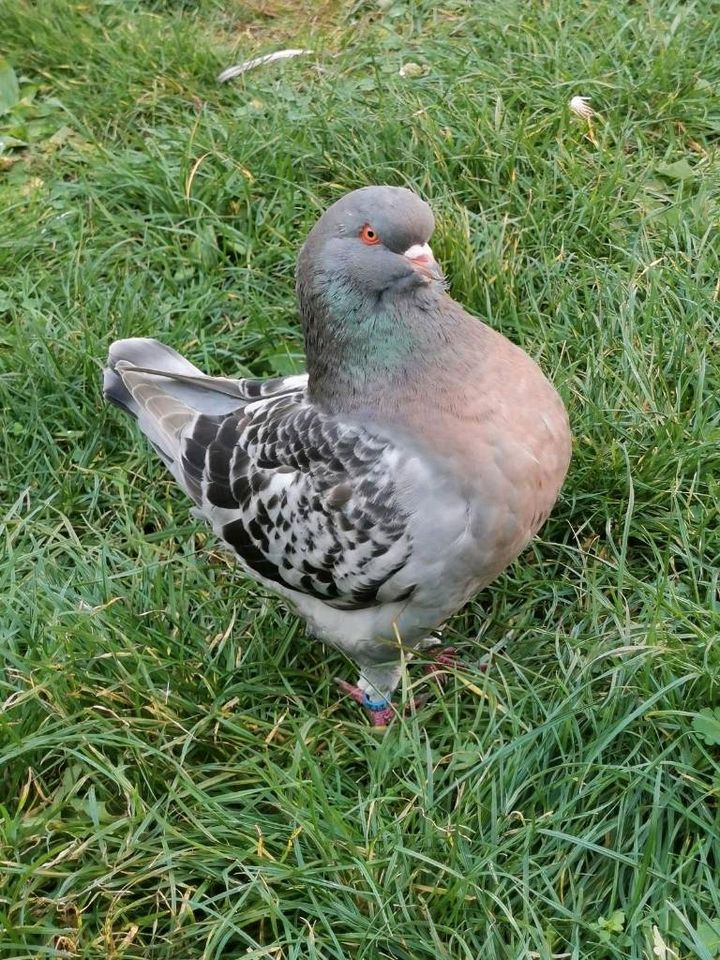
(177, 776)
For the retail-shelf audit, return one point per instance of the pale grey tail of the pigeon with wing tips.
(165, 393)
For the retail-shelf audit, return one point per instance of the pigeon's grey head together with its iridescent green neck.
(372, 298)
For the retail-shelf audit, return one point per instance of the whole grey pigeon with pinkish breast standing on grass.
(383, 488)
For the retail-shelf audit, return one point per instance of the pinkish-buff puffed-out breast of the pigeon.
(505, 440)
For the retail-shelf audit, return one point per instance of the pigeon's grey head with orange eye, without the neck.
(373, 240)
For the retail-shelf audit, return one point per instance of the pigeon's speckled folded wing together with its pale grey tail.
(307, 502)
